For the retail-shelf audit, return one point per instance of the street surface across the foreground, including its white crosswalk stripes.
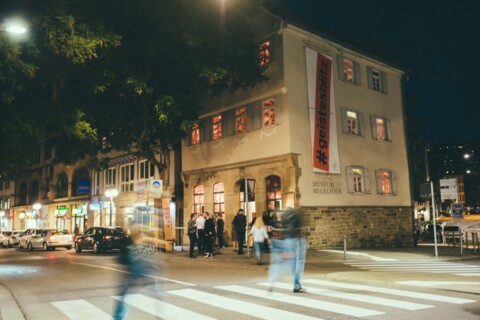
(61, 284)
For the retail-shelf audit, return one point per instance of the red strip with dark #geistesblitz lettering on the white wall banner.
(321, 148)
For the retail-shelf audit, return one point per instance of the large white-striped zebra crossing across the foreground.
(325, 299)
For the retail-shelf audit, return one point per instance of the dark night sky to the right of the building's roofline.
(436, 43)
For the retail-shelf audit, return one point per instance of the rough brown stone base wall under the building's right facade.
(363, 227)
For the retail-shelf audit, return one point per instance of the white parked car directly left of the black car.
(50, 239)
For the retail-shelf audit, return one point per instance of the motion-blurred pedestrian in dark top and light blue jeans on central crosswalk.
(288, 249)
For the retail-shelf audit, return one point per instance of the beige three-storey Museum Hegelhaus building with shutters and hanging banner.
(325, 134)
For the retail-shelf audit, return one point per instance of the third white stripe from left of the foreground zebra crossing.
(252, 309)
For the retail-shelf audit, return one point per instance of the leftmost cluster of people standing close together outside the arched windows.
(203, 228)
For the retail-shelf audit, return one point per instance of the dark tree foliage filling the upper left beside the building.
(128, 75)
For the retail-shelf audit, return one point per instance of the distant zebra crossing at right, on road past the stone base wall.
(419, 266)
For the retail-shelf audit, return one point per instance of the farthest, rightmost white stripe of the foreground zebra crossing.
(403, 293)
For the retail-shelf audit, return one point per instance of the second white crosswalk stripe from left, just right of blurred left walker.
(161, 309)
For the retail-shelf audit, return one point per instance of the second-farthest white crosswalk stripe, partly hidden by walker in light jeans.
(359, 297)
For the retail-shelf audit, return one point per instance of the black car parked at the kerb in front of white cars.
(101, 239)
